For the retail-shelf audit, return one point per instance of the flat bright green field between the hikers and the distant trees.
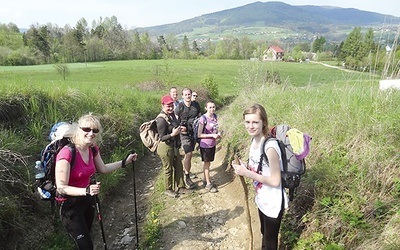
(129, 74)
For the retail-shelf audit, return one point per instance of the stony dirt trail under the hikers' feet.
(200, 220)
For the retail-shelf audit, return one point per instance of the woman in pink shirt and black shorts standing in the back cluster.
(208, 134)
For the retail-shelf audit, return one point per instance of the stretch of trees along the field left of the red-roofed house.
(105, 40)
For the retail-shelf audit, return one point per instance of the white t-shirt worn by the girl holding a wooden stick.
(268, 198)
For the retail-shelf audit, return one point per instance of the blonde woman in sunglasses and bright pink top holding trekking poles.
(75, 192)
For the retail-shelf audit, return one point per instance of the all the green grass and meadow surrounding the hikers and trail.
(349, 197)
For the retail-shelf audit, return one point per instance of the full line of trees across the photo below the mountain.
(106, 39)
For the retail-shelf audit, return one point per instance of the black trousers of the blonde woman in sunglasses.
(77, 214)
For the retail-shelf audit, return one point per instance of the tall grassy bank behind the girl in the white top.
(349, 196)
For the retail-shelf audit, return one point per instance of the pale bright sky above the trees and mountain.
(139, 13)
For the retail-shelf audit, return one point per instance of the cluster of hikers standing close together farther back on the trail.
(176, 131)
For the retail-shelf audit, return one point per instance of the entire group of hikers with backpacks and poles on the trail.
(73, 157)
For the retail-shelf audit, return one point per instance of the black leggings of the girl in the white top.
(270, 230)
